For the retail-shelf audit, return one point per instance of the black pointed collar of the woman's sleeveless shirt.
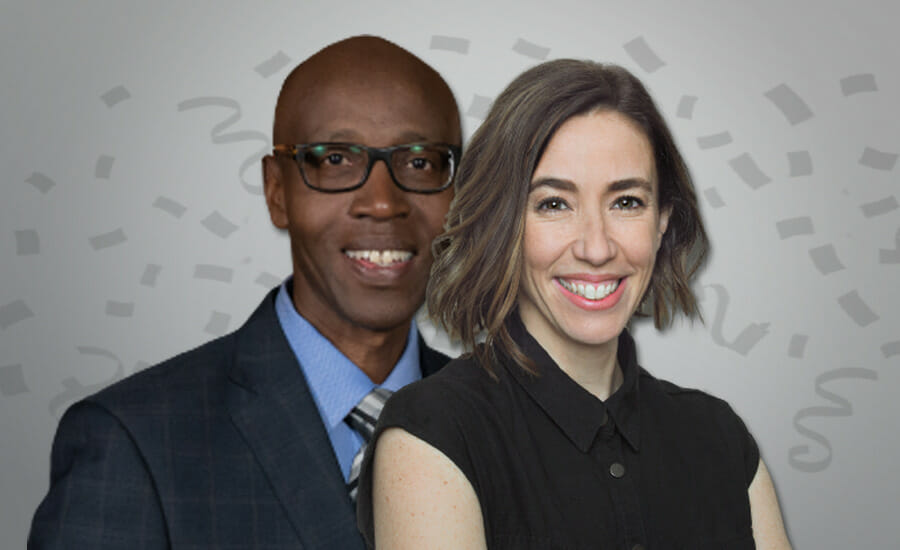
(578, 413)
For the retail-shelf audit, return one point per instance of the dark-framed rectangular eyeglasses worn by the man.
(339, 167)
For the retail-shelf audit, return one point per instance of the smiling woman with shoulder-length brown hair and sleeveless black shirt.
(574, 211)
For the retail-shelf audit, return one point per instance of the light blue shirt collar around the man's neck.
(337, 385)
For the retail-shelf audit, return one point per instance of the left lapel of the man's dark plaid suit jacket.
(271, 405)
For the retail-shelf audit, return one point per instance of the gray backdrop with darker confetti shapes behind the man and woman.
(131, 225)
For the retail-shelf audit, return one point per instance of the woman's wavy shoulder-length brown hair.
(476, 274)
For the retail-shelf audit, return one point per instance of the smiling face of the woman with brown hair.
(592, 230)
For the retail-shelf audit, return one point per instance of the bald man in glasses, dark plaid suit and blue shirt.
(243, 442)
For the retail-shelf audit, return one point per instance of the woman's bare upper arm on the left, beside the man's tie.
(421, 499)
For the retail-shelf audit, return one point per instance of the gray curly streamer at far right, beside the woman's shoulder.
(843, 408)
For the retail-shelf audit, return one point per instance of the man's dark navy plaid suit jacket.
(220, 447)
